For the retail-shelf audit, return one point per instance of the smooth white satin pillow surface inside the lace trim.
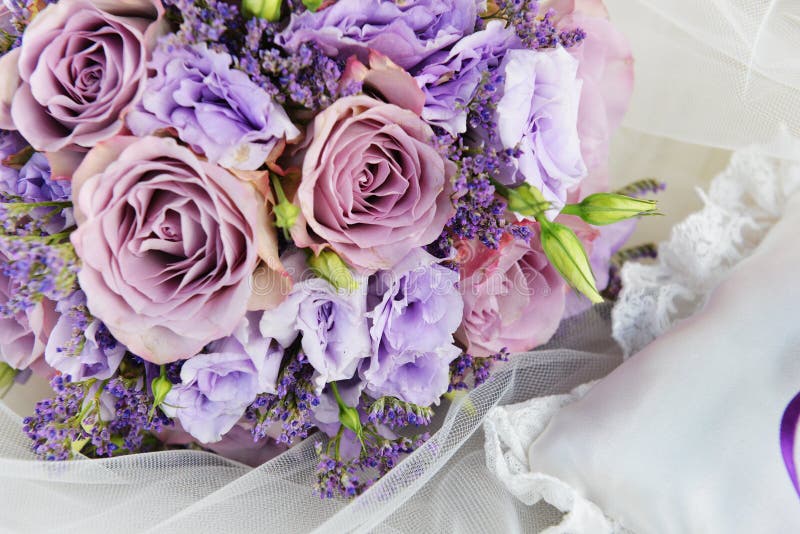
(685, 436)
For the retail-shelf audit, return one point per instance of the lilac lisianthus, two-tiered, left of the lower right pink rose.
(414, 308)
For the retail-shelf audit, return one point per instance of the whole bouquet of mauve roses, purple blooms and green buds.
(227, 226)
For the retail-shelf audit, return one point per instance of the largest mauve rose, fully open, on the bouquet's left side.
(168, 244)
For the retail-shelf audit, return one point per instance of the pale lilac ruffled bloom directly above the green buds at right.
(537, 117)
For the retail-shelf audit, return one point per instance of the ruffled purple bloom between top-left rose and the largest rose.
(217, 110)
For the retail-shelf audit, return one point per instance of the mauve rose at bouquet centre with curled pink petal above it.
(373, 186)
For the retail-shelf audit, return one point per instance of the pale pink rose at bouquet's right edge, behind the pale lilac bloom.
(605, 65)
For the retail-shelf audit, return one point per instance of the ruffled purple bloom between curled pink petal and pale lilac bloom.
(450, 78)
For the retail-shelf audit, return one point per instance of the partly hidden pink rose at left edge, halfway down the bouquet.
(23, 336)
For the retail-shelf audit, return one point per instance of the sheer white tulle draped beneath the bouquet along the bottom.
(443, 487)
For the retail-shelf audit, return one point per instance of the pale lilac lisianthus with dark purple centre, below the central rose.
(332, 324)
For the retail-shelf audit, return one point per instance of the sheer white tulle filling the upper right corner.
(720, 73)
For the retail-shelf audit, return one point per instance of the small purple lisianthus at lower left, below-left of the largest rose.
(80, 345)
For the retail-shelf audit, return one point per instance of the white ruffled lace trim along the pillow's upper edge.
(743, 203)
